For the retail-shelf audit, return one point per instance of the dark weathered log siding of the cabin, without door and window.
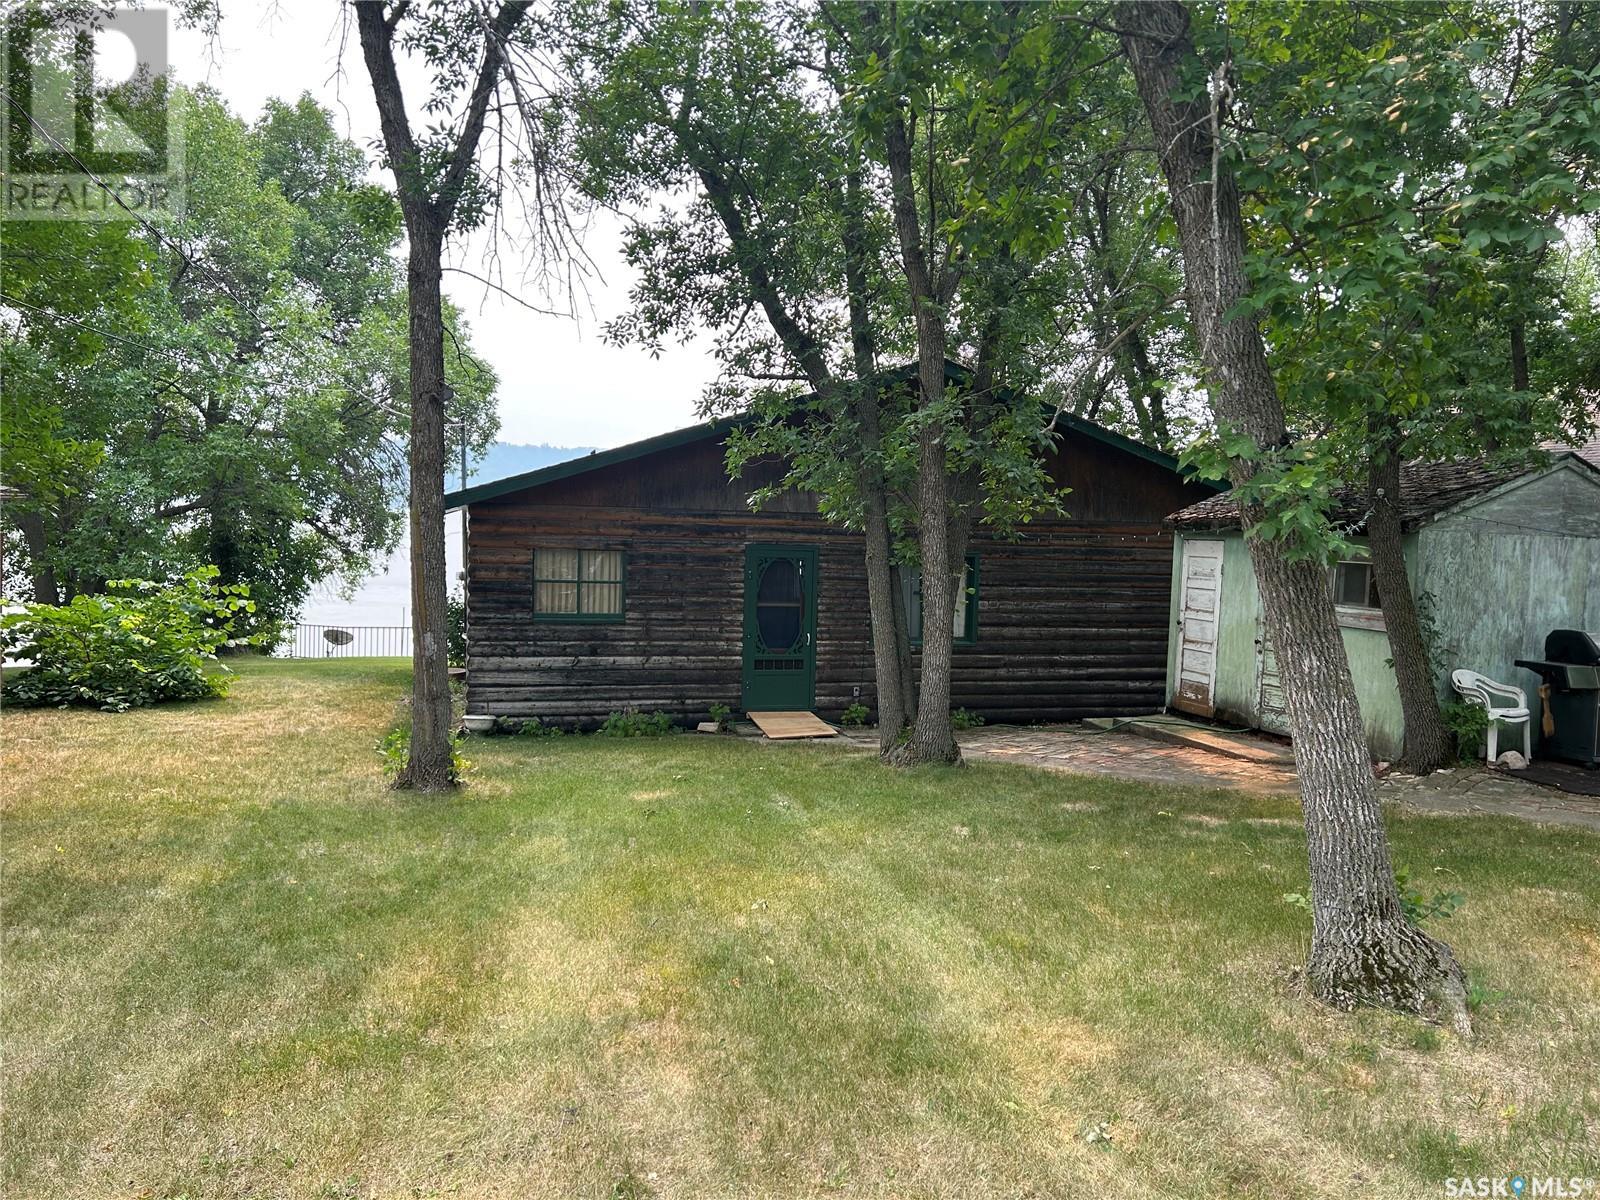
(1073, 617)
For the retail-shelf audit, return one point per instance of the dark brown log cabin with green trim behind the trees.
(641, 580)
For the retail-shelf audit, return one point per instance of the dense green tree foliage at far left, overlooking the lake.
(228, 388)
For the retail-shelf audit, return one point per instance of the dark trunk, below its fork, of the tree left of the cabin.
(431, 762)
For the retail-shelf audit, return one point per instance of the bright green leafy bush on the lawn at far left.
(137, 644)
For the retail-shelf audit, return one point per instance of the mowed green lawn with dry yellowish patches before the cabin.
(238, 966)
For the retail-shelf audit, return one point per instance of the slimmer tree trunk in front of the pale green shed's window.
(1428, 743)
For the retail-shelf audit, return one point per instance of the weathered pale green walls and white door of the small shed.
(1498, 559)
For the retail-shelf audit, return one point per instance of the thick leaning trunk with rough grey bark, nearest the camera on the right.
(1364, 950)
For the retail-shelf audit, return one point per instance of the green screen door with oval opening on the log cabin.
(780, 628)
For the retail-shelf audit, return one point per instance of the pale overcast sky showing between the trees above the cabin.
(561, 383)
